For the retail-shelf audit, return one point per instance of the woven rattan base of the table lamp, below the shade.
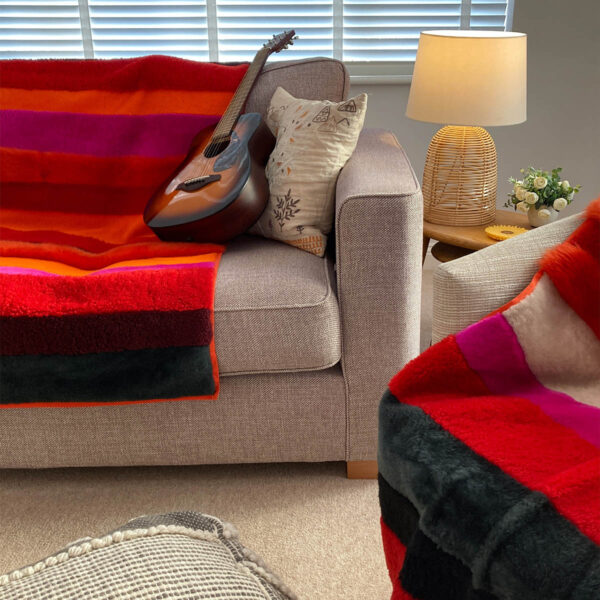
(460, 177)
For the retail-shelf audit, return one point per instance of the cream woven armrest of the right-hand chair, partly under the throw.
(469, 288)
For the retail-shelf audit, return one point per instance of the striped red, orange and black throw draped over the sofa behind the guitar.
(94, 308)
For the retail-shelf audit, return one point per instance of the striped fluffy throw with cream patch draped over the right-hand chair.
(489, 447)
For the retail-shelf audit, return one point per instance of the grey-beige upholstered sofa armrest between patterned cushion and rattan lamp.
(379, 230)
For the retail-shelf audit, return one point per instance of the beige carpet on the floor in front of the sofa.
(316, 529)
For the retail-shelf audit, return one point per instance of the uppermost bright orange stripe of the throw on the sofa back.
(139, 102)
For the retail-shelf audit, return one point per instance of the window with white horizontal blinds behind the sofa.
(373, 37)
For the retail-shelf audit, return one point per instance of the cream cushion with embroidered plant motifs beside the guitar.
(315, 138)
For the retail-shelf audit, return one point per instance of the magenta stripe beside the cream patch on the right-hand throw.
(492, 350)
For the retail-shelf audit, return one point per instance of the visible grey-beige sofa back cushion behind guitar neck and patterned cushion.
(312, 79)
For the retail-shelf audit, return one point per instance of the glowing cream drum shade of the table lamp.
(470, 78)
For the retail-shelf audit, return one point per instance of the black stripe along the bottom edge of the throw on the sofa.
(155, 373)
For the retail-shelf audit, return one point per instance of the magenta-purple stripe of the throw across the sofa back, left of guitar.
(155, 136)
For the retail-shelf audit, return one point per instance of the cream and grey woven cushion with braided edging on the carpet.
(176, 555)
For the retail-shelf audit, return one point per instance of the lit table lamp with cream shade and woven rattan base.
(466, 80)
